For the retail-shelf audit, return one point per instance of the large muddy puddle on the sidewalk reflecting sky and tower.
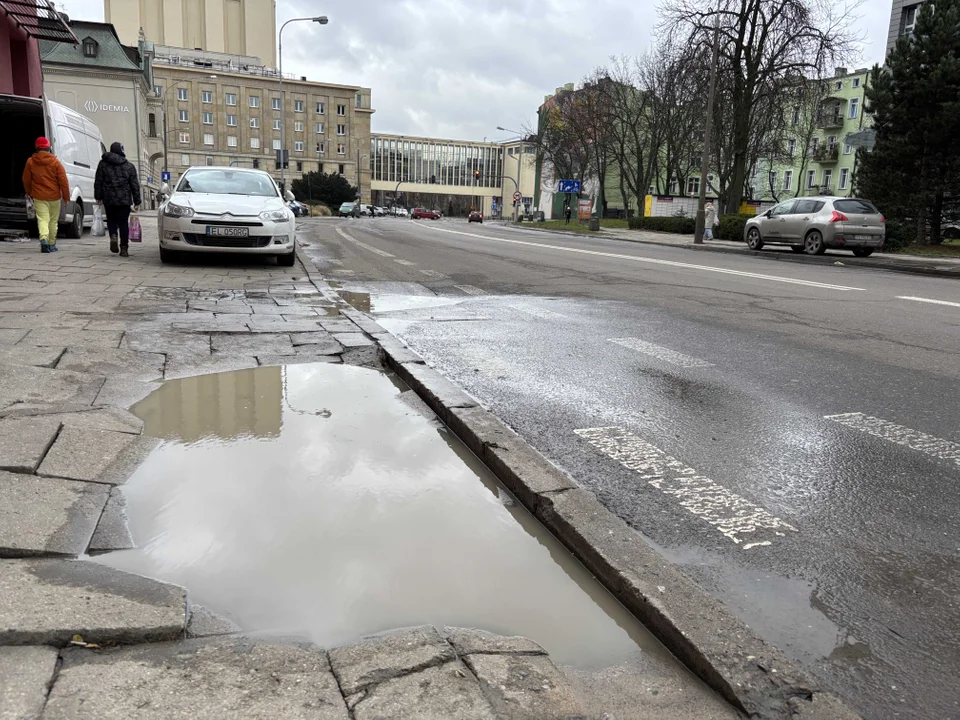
(312, 500)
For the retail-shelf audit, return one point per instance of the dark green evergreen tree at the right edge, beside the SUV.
(913, 173)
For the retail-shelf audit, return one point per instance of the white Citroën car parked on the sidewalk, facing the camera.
(227, 210)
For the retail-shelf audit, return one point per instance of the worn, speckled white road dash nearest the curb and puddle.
(735, 517)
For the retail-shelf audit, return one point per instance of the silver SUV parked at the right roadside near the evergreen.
(813, 224)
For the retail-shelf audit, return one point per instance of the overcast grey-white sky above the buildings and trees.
(457, 68)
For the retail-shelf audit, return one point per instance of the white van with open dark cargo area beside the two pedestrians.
(74, 139)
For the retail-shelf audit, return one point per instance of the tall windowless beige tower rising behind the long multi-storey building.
(234, 27)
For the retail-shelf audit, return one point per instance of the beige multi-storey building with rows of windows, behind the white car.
(225, 110)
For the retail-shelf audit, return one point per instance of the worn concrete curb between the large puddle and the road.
(753, 676)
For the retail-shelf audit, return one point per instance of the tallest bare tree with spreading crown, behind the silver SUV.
(764, 45)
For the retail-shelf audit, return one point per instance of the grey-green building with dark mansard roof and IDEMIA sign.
(111, 84)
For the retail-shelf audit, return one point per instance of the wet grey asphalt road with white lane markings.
(815, 406)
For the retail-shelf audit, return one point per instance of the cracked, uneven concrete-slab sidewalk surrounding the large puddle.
(84, 335)
